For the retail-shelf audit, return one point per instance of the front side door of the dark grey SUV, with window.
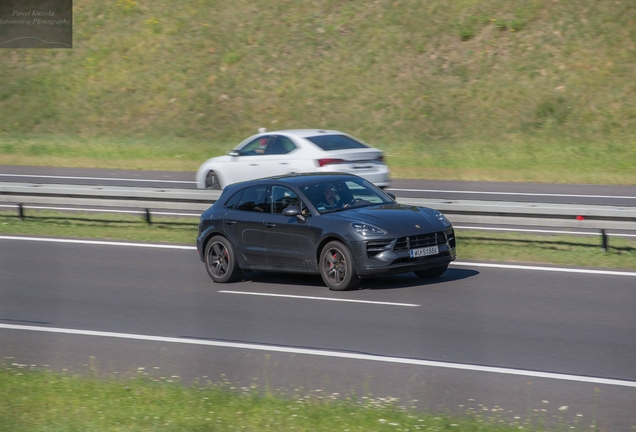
(290, 241)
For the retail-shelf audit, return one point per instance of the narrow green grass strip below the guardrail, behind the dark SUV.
(571, 250)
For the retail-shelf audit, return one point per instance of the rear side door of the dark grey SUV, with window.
(244, 226)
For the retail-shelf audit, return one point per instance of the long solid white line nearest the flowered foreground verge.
(334, 354)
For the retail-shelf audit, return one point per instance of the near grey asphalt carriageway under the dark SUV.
(511, 338)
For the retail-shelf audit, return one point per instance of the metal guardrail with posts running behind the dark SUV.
(601, 217)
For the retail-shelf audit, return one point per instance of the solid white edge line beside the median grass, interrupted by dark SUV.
(468, 264)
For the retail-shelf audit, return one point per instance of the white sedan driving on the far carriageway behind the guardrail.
(294, 151)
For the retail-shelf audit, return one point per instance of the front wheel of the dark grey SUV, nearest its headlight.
(337, 268)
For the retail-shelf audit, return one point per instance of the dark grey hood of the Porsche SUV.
(396, 219)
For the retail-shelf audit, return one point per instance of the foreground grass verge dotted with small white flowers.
(36, 398)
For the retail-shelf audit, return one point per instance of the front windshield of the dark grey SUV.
(345, 194)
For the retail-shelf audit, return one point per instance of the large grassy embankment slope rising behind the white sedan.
(539, 91)
